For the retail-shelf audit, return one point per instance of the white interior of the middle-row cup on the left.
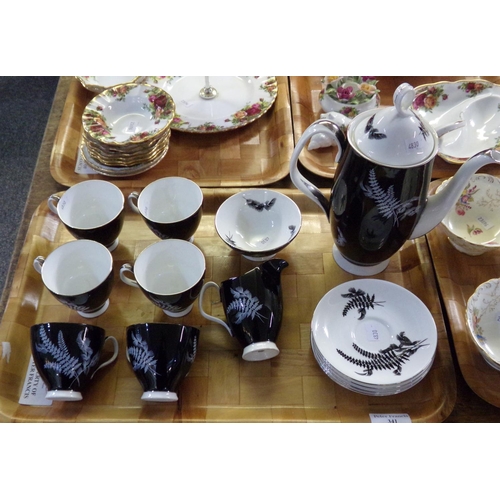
(76, 267)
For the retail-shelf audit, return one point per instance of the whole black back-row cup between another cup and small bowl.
(171, 207)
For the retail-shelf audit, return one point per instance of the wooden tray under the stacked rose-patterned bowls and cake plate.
(254, 155)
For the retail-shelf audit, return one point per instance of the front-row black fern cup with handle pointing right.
(67, 356)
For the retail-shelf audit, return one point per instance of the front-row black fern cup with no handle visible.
(161, 356)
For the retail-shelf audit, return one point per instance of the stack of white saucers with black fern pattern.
(373, 337)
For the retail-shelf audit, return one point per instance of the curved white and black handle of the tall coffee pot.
(332, 131)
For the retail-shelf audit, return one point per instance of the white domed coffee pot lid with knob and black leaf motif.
(394, 136)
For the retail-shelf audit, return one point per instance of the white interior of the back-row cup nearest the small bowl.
(170, 199)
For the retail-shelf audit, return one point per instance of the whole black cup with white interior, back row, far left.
(91, 210)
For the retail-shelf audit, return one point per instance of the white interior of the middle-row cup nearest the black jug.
(169, 267)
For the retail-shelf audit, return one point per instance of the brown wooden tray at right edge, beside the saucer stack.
(458, 276)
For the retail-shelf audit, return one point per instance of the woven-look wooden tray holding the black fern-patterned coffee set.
(221, 387)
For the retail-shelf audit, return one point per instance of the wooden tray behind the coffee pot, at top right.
(306, 108)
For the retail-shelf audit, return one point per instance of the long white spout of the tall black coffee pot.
(439, 204)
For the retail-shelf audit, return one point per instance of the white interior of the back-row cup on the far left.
(90, 204)
